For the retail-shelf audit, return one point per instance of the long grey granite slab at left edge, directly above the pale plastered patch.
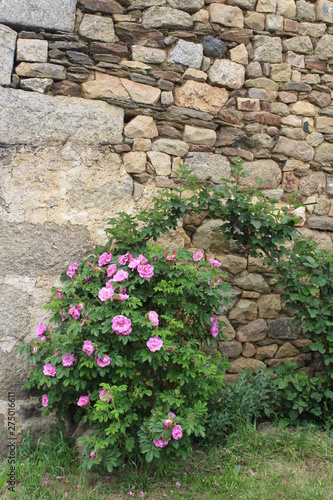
(29, 118)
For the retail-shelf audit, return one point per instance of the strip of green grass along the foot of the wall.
(270, 465)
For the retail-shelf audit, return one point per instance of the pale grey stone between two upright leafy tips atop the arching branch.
(209, 166)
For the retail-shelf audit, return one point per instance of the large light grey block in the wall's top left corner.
(39, 14)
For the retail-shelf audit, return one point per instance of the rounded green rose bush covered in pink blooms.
(130, 351)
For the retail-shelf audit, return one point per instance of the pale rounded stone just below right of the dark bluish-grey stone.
(227, 73)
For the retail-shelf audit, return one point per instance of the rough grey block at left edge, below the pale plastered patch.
(41, 249)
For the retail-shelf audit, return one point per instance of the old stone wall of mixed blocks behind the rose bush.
(101, 99)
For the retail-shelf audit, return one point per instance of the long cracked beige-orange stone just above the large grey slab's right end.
(120, 89)
